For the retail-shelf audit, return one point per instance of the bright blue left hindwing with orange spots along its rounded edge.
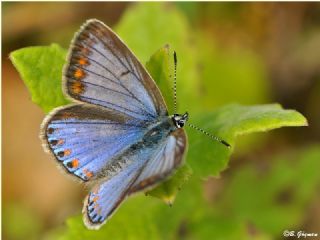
(84, 138)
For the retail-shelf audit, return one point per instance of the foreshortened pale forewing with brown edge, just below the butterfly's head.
(163, 163)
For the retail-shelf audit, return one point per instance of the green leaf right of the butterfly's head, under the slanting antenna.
(229, 122)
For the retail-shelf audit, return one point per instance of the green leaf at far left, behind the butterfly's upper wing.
(41, 70)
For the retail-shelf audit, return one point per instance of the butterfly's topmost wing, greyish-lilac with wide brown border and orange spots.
(103, 71)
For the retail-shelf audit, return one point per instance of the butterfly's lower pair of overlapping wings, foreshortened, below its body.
(149, 167)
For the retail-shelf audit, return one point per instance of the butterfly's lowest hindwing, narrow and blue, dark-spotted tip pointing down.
(109, 192)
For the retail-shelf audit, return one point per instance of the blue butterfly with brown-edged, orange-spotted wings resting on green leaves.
(117, 137)
